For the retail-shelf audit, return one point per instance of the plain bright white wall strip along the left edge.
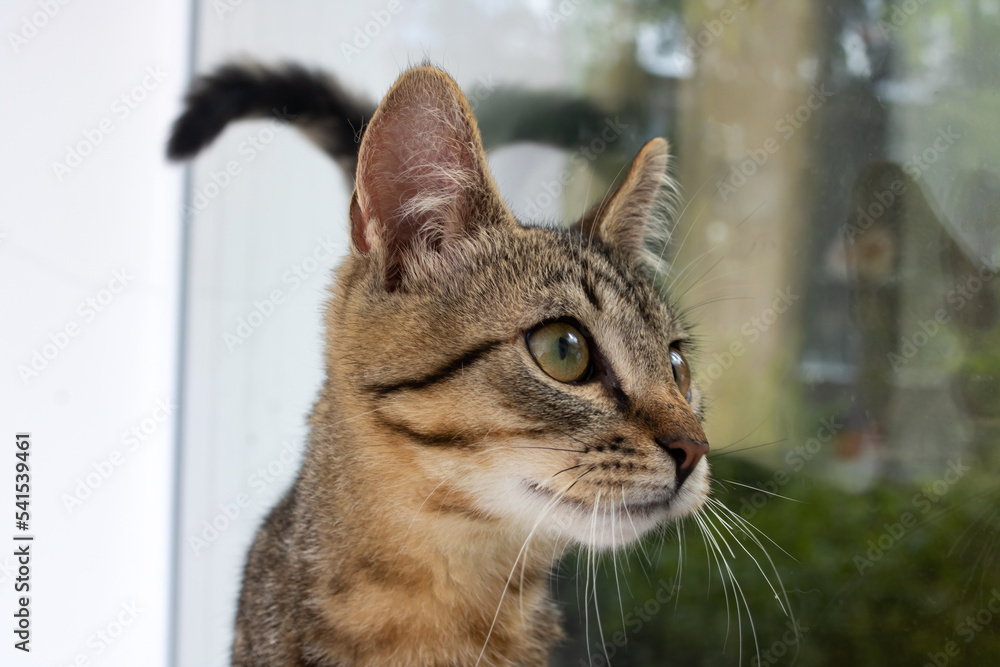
(62, 239)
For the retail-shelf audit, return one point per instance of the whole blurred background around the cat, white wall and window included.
(837, 250)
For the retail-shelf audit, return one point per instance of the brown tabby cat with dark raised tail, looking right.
(495, 393)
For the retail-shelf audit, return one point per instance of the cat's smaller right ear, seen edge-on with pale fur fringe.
(637, 216)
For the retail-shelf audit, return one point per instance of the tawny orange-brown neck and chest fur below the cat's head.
(408, 565)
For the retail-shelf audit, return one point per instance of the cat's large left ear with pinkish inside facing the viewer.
(422, 178)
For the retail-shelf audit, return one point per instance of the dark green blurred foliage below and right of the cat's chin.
(864, 588)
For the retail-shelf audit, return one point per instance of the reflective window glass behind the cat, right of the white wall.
(837, 249)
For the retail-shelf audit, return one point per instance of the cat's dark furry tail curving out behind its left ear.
(310, 100)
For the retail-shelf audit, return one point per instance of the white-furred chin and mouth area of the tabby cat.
(609, 523)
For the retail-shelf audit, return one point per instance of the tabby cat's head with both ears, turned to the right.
(534, 373)
